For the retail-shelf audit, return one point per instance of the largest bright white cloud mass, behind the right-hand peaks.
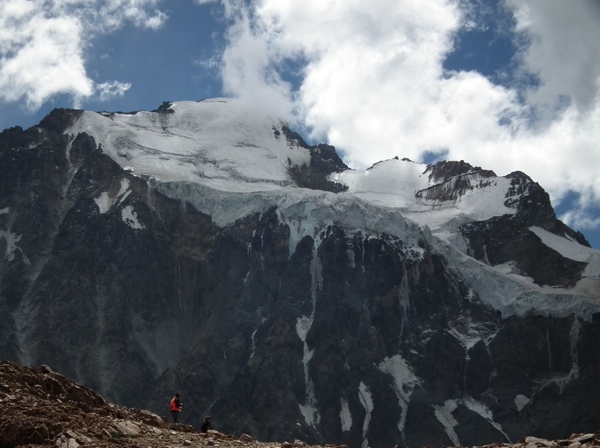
(372, 83)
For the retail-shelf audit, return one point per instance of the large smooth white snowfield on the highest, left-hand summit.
(210, 142)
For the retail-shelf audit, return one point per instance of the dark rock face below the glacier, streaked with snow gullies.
(353, 337)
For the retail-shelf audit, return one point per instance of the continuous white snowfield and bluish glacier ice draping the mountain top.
(228, 162)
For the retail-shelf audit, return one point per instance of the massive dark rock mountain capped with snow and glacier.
(206, 248)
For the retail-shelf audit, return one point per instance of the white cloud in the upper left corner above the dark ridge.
(42, 44)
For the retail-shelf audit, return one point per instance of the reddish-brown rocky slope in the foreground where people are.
(41, 408)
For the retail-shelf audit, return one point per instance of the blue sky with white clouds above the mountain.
(508, 85)
